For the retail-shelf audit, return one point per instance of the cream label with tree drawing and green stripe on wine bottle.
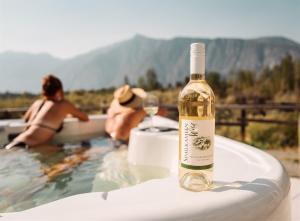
(196, 142)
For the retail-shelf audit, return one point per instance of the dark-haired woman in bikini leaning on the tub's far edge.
(45, 116)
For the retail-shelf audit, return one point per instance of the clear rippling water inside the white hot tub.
(29, 178)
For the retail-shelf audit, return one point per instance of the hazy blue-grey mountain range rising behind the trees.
(108, 66)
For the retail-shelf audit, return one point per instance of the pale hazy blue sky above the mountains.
(66, 28)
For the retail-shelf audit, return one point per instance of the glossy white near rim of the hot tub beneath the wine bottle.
(249, 185)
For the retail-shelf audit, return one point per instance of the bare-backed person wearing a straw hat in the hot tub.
(125, 112)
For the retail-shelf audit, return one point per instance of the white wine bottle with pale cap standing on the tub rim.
(196, 126)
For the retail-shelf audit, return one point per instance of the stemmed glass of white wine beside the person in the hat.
(150, 105)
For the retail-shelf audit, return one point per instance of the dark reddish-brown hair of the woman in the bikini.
(50, 85)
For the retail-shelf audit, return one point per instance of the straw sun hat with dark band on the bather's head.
(130, 97)
